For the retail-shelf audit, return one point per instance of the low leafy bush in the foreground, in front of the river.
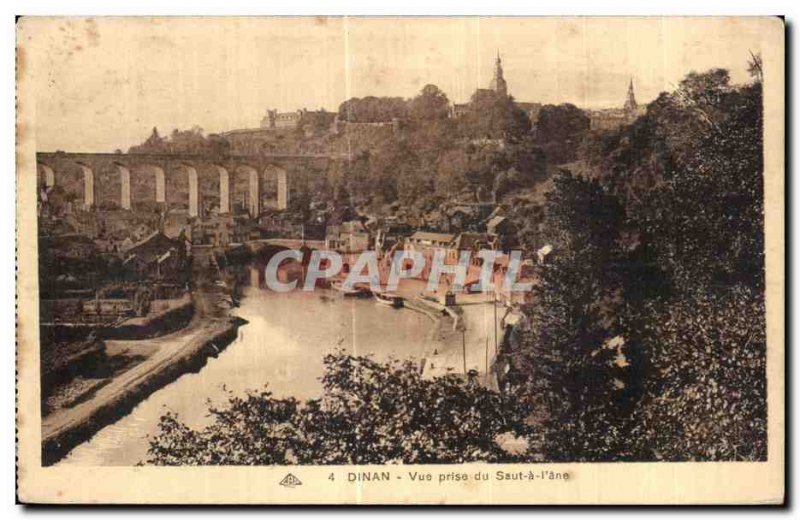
(369, 413)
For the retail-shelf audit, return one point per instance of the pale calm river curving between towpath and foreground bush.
(282, 346)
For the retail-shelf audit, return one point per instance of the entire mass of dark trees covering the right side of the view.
(647, 335)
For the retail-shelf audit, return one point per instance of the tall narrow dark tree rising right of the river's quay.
(574, 365)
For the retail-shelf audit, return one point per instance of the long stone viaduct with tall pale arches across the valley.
(196, 183)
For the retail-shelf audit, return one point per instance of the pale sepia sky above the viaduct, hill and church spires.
(102, 84)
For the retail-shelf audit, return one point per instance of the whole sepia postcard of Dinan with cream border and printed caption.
(441, 260)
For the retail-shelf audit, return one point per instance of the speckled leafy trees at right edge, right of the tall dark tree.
(703, 341)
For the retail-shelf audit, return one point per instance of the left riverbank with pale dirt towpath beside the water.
(210, 330)
